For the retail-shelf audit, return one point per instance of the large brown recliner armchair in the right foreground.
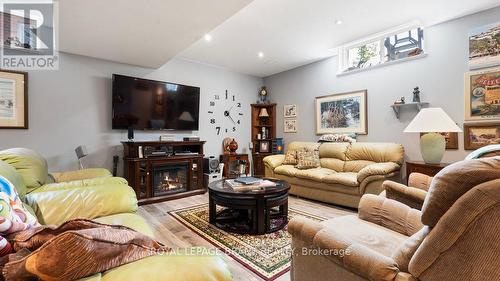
(454, 237)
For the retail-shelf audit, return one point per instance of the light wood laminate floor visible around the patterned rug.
(172, 233)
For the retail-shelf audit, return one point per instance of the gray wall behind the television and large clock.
(72, 106)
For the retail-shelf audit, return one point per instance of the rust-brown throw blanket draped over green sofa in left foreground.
(76, 249)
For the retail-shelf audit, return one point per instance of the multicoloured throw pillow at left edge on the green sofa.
(13, 216)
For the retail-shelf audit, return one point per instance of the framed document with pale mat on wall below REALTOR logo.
(13, 100)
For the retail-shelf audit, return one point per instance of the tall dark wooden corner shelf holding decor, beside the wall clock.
(263, 132)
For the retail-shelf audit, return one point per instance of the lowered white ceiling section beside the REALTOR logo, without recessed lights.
(146, 33)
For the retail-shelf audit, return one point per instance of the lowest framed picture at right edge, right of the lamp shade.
(477, 135)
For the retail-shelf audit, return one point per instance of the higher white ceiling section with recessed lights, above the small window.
(291, 33)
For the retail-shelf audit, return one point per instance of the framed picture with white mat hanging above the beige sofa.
(342, 113)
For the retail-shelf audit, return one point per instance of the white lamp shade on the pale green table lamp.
(432, 120)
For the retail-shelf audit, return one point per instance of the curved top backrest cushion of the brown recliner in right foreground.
(454, 181)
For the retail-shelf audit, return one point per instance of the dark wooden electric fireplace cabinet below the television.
(164, 170)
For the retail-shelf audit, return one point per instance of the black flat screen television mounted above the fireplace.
(154, 105)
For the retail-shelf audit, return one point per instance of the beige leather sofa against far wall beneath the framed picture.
(347, 170)
